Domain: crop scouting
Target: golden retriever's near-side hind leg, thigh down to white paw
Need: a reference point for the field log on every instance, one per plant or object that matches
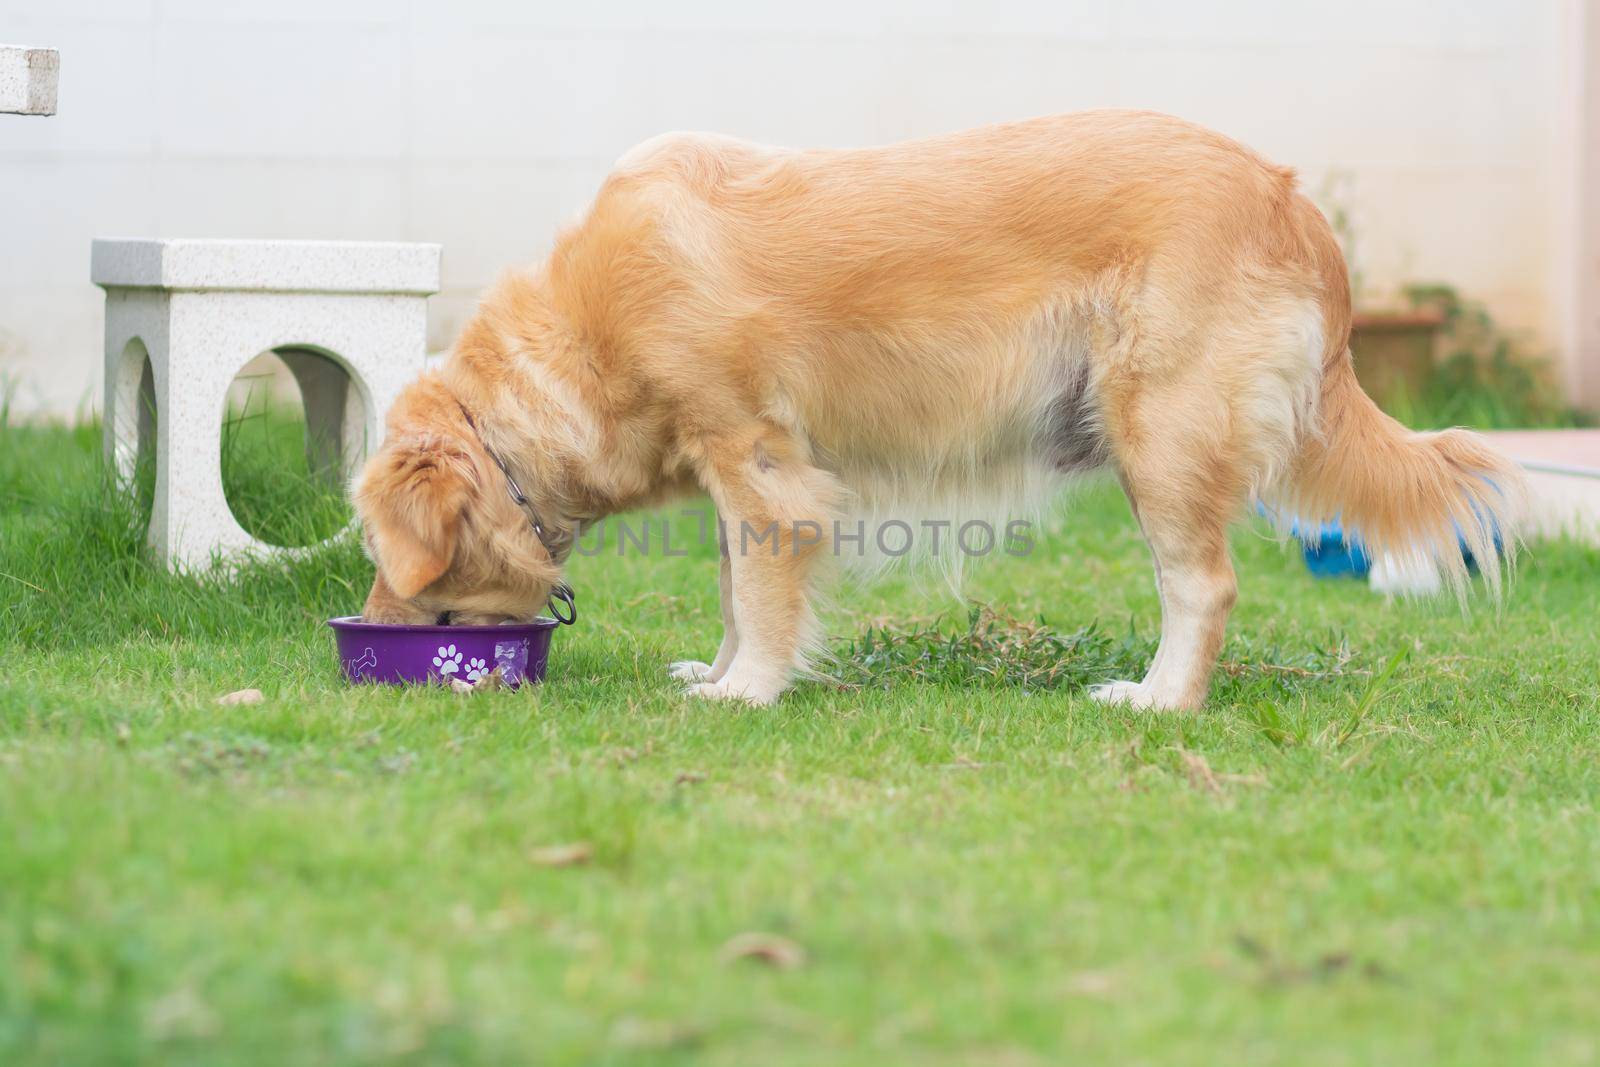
(1199, 417)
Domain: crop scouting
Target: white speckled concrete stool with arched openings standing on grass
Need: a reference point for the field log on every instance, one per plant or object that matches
(183, 318)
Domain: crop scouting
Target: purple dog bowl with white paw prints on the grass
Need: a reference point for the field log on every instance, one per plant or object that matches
(396, 655)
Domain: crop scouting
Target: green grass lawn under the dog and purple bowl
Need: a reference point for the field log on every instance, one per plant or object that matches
(1332, 865)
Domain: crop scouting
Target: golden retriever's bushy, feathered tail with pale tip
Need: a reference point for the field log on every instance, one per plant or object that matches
(1414, 500)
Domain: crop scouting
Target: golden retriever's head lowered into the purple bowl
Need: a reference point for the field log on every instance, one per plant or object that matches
(447, 538)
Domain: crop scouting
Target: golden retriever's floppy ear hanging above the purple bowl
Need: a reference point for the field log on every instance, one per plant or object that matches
(412, 498)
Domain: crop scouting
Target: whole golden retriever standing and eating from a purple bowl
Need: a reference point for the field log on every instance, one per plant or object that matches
(817, 335)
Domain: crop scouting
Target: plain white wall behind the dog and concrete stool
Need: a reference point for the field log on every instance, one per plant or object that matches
(486, 124)
